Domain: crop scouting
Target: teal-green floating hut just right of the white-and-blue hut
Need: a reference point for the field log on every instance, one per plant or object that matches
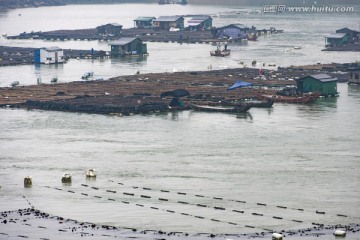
(127, 47)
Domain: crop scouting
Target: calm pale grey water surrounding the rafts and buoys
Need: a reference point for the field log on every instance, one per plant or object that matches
(295, 156)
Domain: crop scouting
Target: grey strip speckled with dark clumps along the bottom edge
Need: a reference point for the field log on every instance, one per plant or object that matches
(48, 226)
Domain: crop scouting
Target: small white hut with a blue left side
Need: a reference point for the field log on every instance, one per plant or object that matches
(49, 55)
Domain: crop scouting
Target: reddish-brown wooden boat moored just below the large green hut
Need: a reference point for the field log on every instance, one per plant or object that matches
(303, 99)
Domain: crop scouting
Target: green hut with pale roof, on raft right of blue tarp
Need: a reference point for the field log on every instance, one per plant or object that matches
(324, 84)
